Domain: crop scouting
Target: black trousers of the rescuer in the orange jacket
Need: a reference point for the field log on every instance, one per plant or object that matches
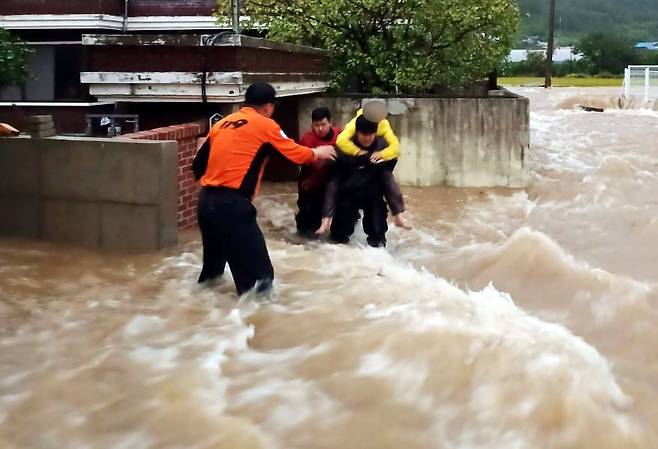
(231, 234)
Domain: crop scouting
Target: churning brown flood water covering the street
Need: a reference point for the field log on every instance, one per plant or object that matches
(504, 320)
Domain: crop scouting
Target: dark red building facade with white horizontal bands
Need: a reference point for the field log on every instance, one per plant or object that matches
(161, 62)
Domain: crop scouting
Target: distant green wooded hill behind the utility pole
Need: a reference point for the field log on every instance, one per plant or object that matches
(637, 20)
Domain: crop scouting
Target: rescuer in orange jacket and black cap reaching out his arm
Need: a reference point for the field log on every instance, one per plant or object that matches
(237, 150)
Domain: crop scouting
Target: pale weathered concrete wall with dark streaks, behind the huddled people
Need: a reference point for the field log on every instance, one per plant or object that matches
(463, 142)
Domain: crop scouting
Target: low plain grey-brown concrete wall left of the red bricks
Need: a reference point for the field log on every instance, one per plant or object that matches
(118, 195)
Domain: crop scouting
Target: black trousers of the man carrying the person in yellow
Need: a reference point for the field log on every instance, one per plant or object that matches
(374, 219)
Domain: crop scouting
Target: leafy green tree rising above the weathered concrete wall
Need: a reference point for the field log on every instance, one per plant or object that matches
(409, 46)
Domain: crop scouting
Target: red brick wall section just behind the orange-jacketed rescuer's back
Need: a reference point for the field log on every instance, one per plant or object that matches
(187, 136)
